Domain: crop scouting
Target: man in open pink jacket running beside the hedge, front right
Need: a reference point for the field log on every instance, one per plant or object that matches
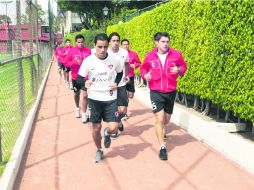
(161, 68)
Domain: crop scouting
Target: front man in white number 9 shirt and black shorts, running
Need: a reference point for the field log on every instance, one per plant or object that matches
(100, 70)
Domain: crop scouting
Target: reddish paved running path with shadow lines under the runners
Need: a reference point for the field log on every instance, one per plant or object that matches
(60, 152)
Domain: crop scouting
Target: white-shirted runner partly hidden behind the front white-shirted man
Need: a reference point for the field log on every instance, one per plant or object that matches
(122, 98)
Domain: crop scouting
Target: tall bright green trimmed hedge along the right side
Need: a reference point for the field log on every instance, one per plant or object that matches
(216, 39)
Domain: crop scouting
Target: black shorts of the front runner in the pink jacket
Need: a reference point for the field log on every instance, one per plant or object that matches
(161, 101)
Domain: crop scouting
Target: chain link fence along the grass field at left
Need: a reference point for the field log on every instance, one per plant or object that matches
(23, 64)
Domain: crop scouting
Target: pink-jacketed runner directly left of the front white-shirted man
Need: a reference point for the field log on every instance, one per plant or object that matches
(73, 59)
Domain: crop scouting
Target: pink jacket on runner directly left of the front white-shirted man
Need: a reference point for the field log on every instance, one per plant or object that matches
(74, 58)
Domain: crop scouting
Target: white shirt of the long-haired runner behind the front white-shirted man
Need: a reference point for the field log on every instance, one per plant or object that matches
(124, 56)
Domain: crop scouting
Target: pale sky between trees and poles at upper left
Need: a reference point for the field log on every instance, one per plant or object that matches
(10, 9)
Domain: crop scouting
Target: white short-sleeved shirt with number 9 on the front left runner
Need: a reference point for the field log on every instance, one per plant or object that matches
(102, 74)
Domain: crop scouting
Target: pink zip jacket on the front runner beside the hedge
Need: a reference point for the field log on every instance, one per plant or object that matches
(162, 80)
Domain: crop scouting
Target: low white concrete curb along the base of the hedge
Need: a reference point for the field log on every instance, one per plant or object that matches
(208, 131)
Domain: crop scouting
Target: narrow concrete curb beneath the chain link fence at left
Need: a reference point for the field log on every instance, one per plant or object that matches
(8, 178)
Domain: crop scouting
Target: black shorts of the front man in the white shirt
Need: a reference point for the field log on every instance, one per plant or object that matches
(106, 110)
